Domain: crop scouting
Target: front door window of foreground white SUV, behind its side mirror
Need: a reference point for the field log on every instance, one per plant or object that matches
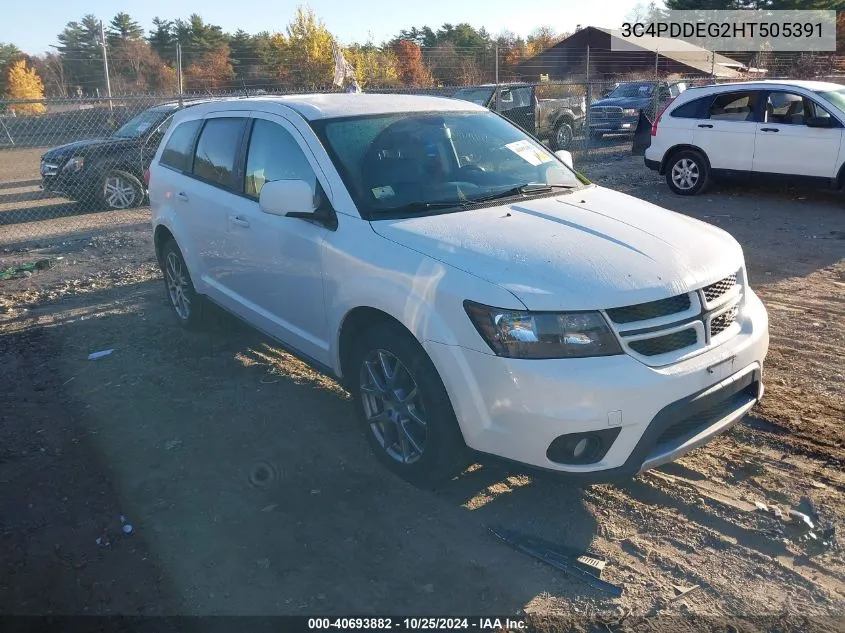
(274, 155)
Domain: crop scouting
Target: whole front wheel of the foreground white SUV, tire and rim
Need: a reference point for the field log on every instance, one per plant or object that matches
(404, 408)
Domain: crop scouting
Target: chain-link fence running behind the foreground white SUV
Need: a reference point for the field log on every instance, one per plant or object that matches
(74, 165)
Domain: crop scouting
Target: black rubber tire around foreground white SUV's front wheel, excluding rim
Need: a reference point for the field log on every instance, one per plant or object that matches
(444, 453)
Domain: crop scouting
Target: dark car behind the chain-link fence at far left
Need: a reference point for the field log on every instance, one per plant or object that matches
(108, 171)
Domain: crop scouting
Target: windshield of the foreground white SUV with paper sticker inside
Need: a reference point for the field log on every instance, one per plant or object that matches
(412, 162)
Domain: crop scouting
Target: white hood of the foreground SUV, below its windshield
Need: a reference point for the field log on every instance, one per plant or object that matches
(592, 248)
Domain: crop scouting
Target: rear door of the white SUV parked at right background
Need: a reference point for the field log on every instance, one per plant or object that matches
(727, 132)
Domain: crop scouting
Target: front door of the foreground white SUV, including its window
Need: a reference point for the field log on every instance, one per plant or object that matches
(276, 263)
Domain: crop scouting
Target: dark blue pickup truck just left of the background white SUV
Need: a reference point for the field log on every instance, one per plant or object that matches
(619, 111)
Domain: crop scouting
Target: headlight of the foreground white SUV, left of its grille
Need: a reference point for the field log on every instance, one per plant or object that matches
(522, 334)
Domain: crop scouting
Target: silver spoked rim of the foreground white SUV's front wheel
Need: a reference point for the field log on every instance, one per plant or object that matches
(393, 406)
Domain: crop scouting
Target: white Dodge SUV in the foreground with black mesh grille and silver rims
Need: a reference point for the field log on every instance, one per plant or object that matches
(469, 288)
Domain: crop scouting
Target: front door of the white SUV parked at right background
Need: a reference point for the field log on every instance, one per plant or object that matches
(785, 145)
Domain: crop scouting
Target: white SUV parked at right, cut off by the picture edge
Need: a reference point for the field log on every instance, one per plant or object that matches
(765, 129)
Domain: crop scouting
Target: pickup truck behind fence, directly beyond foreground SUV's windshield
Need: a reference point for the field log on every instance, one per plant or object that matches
(555, 119)
